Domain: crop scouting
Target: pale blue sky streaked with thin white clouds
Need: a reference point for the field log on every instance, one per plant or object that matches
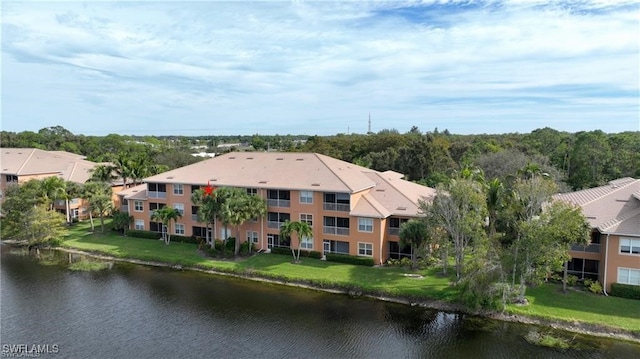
(319, 67)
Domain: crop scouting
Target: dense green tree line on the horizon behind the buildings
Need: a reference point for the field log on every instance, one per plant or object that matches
(575, 160)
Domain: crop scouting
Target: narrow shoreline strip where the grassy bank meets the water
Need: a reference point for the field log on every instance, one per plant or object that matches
(574, 327)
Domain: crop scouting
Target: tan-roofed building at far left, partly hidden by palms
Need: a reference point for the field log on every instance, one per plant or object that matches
(18, 165)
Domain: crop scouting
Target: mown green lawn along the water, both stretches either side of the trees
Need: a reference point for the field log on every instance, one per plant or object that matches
(547, 302)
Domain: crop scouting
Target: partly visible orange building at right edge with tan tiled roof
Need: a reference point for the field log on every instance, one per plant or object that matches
(614, 214)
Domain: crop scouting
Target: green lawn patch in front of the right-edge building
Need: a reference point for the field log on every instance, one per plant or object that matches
(548, 302)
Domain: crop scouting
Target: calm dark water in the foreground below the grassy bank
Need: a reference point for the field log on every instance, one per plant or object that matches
(140, 312)
